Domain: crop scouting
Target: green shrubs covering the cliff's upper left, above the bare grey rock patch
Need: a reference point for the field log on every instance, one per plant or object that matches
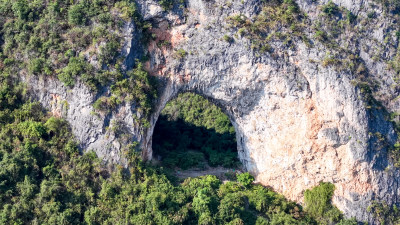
(74, 40)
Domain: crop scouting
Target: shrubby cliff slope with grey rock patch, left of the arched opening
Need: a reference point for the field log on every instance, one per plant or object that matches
(80, 47)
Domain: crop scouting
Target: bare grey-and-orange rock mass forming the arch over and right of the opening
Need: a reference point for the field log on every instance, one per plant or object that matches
(297, 123)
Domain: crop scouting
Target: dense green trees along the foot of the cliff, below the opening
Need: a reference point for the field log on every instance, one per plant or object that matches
(45, 180)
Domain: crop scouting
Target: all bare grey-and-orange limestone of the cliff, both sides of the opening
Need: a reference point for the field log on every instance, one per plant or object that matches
(298, 121)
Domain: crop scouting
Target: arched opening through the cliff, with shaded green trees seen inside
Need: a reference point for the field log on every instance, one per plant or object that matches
(192, 133)
